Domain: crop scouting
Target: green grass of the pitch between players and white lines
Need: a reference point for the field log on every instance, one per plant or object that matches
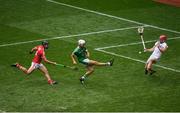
(123, 87)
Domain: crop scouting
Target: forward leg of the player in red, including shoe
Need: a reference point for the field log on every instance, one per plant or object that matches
(44, 70)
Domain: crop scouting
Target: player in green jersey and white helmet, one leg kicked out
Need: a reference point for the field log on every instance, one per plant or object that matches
(82, 55)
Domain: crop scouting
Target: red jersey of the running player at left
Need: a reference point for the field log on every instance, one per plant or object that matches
(39, 55)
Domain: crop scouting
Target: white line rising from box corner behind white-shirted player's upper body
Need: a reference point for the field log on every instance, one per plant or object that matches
(130, 44)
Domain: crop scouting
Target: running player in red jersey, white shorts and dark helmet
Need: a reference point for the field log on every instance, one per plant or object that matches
(36, 62)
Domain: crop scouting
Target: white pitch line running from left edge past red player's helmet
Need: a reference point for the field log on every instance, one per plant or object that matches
(70, 36)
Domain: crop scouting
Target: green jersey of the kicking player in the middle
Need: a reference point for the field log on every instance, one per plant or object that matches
(80, 53)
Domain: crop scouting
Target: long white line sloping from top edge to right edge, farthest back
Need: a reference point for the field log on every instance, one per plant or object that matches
(111, 16)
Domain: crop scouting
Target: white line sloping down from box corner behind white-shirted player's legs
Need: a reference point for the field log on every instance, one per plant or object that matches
(137, 60)
